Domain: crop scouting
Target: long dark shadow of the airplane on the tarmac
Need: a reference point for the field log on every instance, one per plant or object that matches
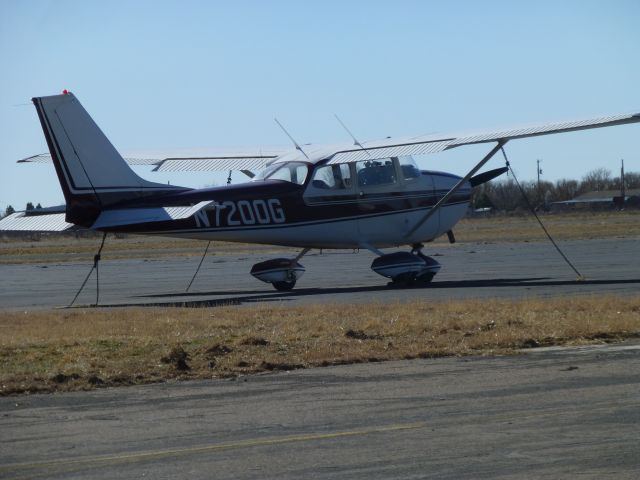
(239, 297)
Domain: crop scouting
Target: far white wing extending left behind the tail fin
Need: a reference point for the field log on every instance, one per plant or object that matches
(191, 159)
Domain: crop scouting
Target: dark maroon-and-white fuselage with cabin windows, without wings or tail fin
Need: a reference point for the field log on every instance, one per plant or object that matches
(302, 205)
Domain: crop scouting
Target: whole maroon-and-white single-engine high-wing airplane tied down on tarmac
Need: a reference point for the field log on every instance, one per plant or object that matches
(363, 195)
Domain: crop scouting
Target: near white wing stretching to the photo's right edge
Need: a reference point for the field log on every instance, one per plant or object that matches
(427, 144)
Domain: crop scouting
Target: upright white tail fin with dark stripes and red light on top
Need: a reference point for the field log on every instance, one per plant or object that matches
(92, 174)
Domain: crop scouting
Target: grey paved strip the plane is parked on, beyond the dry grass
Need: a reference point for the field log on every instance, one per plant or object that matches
(469, 270)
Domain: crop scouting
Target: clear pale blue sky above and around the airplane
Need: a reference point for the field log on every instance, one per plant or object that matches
(157, 74)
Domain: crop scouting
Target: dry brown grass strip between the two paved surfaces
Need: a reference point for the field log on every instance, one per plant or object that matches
(84, 349)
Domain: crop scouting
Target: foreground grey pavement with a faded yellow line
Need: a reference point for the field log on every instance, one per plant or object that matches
(550, 413)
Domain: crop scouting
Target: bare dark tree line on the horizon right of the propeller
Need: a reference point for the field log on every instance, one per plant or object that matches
(506, 196)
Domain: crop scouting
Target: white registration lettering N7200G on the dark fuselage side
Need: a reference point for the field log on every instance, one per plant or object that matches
(248, 212)
